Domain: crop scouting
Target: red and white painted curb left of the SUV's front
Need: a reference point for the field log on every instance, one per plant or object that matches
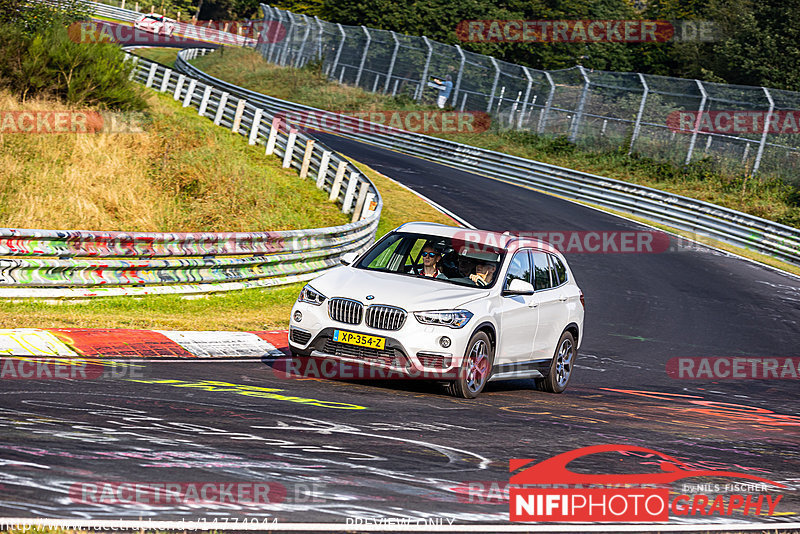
(123, 343)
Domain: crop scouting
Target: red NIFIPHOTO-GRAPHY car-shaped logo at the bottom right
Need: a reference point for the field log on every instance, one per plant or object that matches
(637, 497)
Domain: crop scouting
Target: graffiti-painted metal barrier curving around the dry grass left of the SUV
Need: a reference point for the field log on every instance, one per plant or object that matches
(68, 263)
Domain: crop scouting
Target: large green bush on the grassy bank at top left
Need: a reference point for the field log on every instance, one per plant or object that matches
(50, 64)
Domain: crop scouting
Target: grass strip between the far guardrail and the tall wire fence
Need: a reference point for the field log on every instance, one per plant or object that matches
(769, 198)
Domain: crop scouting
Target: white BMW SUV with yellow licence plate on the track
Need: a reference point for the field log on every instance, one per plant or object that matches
(451, 304)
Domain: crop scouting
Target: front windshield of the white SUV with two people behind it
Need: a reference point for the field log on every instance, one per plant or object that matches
(445, 259)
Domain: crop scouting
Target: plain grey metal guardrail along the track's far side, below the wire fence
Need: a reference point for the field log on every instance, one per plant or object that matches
(683, 213)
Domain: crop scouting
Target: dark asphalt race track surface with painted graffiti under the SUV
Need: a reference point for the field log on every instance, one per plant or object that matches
(408, 448)
